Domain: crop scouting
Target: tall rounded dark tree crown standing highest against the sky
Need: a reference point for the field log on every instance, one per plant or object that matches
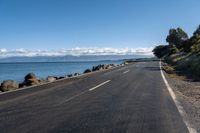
(177, 37)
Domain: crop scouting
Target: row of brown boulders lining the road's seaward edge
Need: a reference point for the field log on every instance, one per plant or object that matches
(31, 79)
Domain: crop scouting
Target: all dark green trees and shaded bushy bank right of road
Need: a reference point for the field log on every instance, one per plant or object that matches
(182, 52)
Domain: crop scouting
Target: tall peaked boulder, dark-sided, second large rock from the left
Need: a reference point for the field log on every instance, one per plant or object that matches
(30, 79)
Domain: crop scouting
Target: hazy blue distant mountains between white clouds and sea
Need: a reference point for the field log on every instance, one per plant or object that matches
(70, 58)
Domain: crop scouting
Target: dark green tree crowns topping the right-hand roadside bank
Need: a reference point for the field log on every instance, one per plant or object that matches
(178, 41)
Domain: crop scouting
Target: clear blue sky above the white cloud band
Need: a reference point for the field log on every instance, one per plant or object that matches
(56, 24)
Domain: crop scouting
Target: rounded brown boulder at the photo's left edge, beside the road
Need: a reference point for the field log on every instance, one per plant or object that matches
(8, 85)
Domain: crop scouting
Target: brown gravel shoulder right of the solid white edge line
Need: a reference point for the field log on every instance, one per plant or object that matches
(188, 94)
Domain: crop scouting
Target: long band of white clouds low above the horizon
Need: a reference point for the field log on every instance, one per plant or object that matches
(75, 52)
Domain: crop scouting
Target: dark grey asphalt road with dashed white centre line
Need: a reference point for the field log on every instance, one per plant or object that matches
(130, 99)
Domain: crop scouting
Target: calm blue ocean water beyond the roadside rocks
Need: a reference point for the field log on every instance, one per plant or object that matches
(17, 71)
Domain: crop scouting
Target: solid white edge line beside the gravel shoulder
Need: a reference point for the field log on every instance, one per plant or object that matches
(177, 103)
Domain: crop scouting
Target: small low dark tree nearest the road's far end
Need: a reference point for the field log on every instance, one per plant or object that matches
(160, 51)
